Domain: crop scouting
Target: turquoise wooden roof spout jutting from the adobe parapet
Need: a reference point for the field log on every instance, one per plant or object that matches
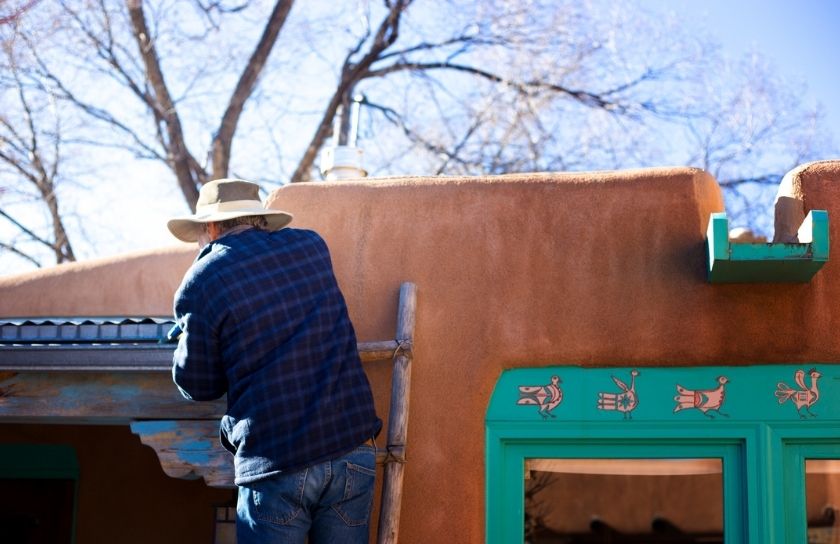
(766, 263)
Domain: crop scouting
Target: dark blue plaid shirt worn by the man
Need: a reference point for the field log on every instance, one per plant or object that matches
(264, 321)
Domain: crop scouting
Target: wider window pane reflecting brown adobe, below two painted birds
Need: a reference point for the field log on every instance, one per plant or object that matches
(623, 500)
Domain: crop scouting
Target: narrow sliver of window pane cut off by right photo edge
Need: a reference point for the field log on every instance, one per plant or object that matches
(822, 493)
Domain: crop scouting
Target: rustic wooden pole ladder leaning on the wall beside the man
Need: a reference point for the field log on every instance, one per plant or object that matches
(400, 351)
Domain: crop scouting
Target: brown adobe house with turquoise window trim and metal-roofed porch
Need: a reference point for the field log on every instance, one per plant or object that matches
(591, 357)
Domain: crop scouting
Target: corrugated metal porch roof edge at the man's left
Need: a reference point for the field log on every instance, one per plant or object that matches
(85, 343)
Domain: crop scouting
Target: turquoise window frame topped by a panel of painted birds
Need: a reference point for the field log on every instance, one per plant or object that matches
(757, 430)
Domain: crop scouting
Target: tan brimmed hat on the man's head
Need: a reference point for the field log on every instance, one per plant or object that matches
(224, 199)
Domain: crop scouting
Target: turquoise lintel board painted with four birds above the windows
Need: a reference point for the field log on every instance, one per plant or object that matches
(804, 393)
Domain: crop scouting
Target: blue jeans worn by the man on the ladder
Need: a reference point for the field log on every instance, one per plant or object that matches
(329, 502)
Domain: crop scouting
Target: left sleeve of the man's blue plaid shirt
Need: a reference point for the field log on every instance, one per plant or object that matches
(197, 367)
